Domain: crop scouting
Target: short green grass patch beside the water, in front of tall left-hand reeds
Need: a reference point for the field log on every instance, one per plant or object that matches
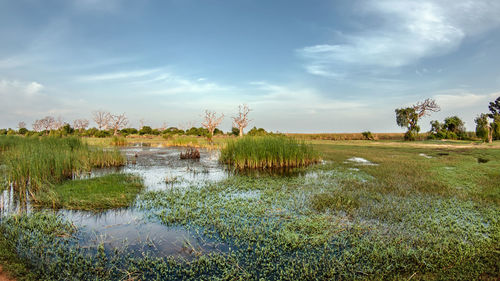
(106, 192)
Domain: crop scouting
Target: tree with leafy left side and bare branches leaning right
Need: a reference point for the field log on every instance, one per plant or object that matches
(408, 117)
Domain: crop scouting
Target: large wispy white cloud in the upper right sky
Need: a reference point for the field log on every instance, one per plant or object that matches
(408, 32)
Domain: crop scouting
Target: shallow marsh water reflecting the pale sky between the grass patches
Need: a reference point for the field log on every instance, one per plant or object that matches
(129, 226)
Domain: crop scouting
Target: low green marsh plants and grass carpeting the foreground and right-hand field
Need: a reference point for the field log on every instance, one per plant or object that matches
(373, 210)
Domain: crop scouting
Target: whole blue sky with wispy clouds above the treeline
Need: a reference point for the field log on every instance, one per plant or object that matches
(307, 66)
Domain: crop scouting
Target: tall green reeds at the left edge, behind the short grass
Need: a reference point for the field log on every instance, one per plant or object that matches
(32, 163)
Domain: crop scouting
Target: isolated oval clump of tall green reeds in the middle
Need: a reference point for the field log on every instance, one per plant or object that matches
(268, 152)
